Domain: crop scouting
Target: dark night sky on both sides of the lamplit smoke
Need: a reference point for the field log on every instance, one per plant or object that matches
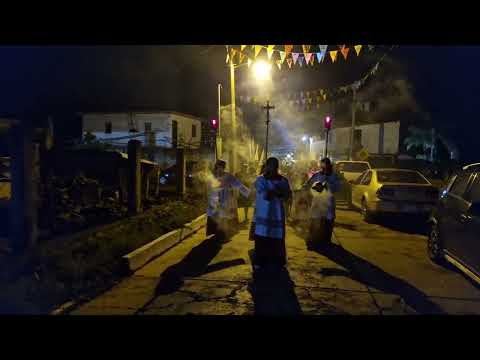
(184, 78)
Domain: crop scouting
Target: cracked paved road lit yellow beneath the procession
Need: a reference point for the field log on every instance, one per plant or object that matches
(372, 270)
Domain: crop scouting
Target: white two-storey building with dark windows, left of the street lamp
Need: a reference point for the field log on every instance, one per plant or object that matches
(160, 132)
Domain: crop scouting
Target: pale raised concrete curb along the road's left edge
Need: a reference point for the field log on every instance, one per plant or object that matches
(139, 257)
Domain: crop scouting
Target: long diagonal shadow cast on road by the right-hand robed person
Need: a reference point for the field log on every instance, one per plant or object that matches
(373, 276)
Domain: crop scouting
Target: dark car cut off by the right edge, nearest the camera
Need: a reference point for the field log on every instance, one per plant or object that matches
(455, 223)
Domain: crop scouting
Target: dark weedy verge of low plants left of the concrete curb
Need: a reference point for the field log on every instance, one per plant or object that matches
(85, 265)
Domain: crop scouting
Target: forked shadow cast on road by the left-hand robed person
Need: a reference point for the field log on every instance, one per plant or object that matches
(192, 265)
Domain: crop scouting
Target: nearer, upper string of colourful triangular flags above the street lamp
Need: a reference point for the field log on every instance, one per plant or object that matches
(281, 54)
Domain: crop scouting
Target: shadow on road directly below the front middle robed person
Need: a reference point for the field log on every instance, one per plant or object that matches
(273, 293)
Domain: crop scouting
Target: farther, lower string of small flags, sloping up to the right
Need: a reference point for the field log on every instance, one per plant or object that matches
(313, 99)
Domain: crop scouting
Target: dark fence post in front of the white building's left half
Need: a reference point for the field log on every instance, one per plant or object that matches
(134, 177)
